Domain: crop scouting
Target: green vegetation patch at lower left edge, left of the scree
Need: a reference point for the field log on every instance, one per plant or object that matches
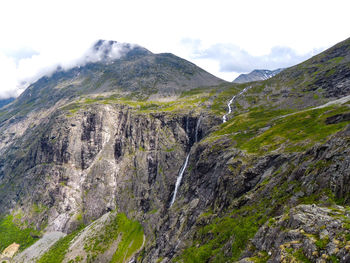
(11, 232)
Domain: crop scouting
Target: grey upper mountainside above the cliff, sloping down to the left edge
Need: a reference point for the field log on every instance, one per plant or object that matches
(136, 75)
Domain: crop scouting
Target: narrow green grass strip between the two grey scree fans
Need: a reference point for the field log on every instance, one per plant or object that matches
(59, 249)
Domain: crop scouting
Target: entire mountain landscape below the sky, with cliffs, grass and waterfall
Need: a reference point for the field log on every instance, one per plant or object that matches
(92, 158)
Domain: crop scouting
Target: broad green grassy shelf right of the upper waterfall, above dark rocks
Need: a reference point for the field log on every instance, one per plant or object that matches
(262, 130)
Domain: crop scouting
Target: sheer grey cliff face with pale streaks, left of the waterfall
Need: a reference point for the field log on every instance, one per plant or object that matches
(97, 159)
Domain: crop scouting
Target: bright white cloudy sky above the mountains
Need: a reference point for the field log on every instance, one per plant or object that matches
(224, 37)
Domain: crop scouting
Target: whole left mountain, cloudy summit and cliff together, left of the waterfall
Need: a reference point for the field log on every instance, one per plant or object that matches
(80, 143)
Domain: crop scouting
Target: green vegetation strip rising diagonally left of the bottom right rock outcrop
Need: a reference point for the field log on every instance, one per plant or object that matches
(235, 228)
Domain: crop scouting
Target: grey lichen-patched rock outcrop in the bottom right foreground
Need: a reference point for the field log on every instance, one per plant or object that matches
(307, 232)
